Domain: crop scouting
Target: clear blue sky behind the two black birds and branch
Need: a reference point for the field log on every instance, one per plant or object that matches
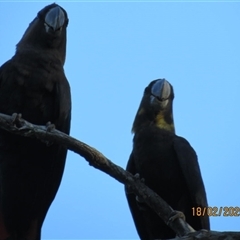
(114, 50)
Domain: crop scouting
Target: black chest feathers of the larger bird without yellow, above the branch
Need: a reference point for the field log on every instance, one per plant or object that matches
(32, 85)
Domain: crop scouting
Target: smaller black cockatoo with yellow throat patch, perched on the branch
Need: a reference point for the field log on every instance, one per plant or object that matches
(166, 161)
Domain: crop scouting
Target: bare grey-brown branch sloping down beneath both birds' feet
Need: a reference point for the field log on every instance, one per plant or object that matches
(15, 124)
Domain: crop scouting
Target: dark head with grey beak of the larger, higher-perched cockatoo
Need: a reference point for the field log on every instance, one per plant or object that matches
(47, 31)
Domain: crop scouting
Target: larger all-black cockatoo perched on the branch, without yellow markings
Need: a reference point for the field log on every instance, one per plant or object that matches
(33, 83)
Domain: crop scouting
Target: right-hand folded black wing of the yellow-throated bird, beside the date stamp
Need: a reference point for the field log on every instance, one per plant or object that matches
(190, 168)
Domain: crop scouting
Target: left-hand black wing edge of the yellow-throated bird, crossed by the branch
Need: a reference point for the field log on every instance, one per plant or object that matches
(137, 214)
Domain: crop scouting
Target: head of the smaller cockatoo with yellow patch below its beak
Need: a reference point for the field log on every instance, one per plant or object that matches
(156, 107)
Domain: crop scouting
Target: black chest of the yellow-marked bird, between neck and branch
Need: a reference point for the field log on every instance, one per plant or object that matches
(156, 162)
